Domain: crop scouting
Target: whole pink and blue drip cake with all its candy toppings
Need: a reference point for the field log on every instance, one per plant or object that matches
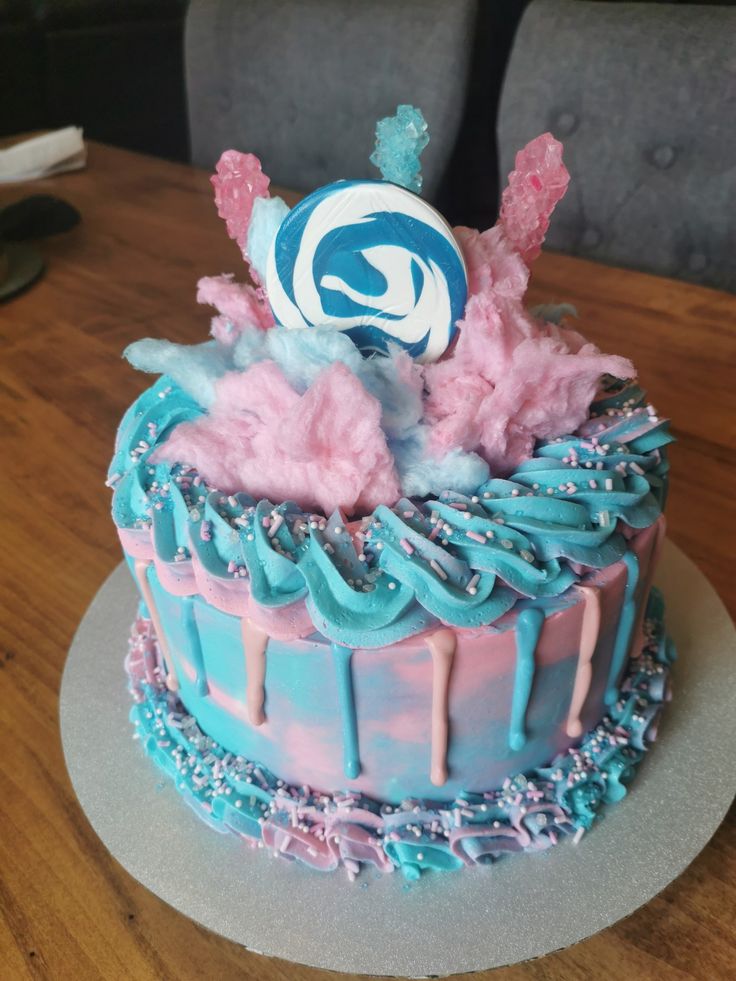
(394, 533)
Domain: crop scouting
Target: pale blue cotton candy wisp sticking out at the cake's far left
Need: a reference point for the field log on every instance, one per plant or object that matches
(195, 367)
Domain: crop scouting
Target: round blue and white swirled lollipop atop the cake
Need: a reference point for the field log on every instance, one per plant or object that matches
(374, 260)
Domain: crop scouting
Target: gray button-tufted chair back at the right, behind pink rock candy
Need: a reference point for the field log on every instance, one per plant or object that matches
(643, 97)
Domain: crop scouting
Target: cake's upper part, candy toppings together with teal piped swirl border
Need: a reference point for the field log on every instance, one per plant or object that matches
(379, 435)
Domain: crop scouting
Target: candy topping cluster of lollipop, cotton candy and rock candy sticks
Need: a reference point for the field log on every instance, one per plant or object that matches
(420, 370)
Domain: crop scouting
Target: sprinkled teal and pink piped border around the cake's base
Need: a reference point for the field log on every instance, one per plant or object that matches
(530, 812)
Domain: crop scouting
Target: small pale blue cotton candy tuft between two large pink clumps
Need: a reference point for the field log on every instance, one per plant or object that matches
(422, 475)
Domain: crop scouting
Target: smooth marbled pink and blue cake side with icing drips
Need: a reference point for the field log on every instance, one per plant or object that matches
(367, 720)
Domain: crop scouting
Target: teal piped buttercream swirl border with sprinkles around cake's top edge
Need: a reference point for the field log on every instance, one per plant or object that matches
(462, 560)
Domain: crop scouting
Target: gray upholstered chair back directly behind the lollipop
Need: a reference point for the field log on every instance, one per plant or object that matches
(301, 83)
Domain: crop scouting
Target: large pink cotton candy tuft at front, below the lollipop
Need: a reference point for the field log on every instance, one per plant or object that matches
(324, 449)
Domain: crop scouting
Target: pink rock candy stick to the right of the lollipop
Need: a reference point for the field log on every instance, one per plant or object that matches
(537, 183)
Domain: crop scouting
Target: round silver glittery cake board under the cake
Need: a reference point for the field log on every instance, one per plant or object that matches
(521, 907)
